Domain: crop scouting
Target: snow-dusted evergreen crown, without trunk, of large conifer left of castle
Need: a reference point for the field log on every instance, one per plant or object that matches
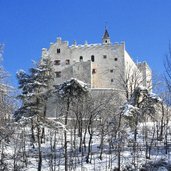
(35, 88)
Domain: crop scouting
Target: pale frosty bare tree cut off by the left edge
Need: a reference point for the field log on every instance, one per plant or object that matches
(7, 105)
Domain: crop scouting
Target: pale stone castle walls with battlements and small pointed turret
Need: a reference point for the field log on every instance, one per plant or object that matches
(101, 66)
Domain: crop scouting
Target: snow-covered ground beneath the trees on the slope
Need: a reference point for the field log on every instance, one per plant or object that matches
(20, 148)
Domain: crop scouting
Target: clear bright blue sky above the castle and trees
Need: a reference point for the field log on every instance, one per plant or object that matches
(27, 26)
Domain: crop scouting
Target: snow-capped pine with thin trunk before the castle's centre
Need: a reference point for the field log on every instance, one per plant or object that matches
(71, 93)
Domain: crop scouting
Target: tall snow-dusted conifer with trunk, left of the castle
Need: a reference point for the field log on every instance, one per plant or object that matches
(35, 89)
